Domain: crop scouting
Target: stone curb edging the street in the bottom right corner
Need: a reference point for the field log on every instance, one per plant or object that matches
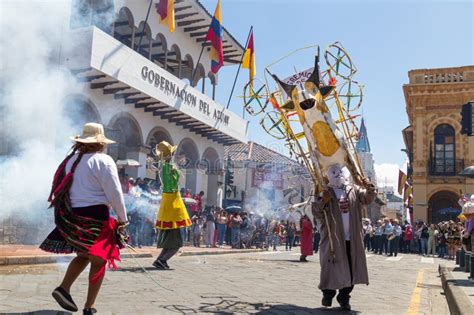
(458, 302)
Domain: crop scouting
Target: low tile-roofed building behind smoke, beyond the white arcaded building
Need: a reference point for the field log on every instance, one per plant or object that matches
(264, 179)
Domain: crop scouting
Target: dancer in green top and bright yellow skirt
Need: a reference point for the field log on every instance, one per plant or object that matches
(172, 215)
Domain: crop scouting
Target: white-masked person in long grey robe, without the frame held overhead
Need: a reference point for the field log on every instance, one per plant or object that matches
(343, 264)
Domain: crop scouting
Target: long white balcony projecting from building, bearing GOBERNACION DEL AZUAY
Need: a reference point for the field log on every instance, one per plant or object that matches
(106, 64)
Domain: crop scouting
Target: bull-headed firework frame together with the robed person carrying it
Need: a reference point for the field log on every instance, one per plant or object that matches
(301, 114)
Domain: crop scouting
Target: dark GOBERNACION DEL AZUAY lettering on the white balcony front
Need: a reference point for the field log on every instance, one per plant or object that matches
(172, 89)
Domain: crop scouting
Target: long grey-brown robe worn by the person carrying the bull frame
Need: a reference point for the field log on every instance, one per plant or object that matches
(335, 273)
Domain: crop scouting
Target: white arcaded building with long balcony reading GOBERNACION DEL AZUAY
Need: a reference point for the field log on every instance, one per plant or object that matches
(144, 84)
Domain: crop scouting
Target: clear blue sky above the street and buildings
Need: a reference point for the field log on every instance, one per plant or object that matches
(385, 40)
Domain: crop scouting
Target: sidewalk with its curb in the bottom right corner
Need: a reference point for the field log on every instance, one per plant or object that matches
(458, 289)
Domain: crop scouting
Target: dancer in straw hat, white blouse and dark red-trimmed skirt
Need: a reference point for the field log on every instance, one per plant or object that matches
(84, 186)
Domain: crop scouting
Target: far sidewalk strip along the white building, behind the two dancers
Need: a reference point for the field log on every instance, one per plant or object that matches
(31, 254)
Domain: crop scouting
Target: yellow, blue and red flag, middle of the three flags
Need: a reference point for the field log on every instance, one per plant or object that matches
(214, 35)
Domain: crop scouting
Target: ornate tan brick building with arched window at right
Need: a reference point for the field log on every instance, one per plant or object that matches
(437, 151)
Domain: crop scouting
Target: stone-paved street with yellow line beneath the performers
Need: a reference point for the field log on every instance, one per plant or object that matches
(265, 282)
